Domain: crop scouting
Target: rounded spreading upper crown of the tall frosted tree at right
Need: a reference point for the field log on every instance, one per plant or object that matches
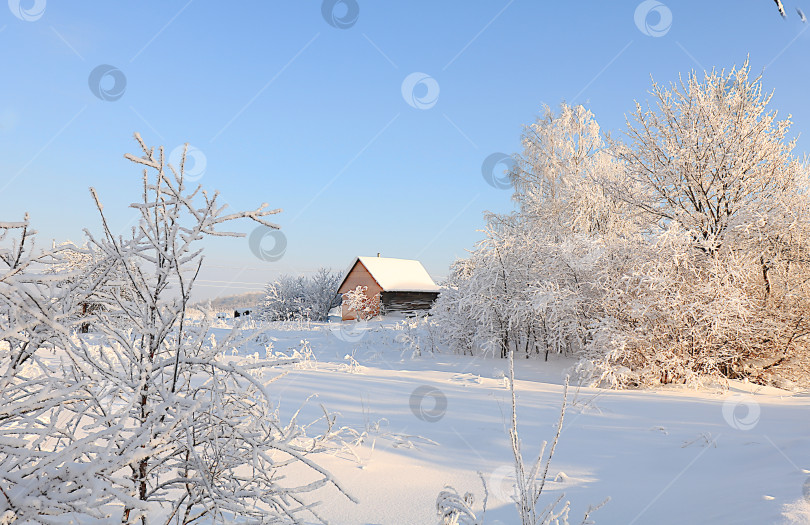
(710, 156)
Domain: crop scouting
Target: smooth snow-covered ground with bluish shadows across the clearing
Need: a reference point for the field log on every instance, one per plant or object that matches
(669, 455)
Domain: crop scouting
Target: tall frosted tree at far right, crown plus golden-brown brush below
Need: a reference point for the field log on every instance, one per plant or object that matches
(718, 286)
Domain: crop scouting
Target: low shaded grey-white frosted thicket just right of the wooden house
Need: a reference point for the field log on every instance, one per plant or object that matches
(499, 300)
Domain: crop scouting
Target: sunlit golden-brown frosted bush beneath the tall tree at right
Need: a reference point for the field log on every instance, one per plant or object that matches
(679, 315)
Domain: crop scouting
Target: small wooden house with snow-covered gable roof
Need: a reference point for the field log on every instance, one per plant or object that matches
(401, 285)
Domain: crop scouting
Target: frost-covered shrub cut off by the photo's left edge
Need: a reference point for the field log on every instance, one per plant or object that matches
(50, 466)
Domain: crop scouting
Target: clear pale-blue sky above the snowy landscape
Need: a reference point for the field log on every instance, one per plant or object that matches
(290, 110)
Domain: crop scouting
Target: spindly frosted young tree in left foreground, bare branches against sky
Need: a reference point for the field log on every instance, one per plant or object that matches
(199, 432)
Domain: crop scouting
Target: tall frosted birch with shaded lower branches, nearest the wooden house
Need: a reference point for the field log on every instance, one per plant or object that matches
(529, 285)
